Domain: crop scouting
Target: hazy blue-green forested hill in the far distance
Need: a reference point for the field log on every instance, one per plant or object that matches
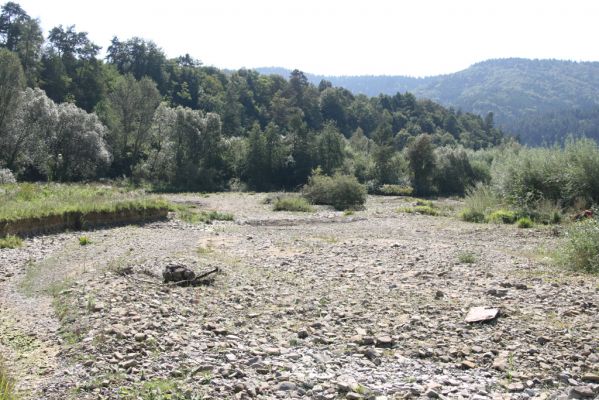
(539, 100)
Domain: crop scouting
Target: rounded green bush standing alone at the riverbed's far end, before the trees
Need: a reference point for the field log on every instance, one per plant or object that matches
(340, 191)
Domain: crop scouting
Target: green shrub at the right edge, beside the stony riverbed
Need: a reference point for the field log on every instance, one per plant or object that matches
(580, 251)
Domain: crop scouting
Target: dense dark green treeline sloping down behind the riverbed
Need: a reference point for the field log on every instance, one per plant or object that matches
(66, 114)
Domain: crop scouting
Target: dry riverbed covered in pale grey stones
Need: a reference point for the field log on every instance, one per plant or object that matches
(319, 305)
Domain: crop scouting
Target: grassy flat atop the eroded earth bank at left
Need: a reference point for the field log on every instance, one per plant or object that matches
(33, 200)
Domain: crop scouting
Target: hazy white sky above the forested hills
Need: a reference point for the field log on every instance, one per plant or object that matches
(336, 37)
